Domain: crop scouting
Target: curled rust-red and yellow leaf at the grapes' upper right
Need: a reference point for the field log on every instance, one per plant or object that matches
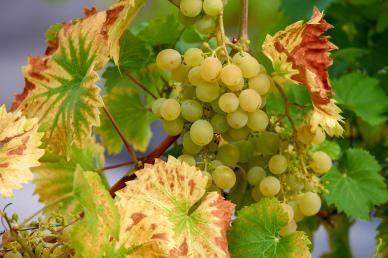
(302, 55)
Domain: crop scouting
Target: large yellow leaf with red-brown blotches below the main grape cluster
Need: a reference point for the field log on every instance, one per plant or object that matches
(168, 211)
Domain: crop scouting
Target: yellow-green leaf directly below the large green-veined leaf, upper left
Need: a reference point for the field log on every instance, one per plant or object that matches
(54, 178)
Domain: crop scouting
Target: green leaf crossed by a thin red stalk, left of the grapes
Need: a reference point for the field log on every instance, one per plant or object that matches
(132, 117)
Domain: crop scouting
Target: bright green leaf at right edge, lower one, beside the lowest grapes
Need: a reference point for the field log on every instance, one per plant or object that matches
(356, 186)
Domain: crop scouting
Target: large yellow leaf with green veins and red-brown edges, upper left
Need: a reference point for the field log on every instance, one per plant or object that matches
(61, 88)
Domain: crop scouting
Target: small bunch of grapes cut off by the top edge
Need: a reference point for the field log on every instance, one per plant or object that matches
(200, 12)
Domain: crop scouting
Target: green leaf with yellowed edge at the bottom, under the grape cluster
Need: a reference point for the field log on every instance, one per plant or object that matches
(255, 233)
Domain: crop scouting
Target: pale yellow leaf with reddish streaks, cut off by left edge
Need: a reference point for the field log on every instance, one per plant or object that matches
(19, 150)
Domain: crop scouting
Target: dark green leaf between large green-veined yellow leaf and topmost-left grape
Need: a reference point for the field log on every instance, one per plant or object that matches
(135, 53)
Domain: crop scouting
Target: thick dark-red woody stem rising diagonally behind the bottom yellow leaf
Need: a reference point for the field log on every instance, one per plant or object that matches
(149, 159)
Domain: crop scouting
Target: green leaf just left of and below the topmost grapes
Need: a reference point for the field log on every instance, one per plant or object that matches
(161, 31)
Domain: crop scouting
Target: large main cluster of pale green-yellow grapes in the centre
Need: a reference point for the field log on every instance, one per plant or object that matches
(219, 112)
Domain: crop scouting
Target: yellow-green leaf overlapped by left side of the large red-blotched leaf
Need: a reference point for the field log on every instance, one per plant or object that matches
(95, 233)
